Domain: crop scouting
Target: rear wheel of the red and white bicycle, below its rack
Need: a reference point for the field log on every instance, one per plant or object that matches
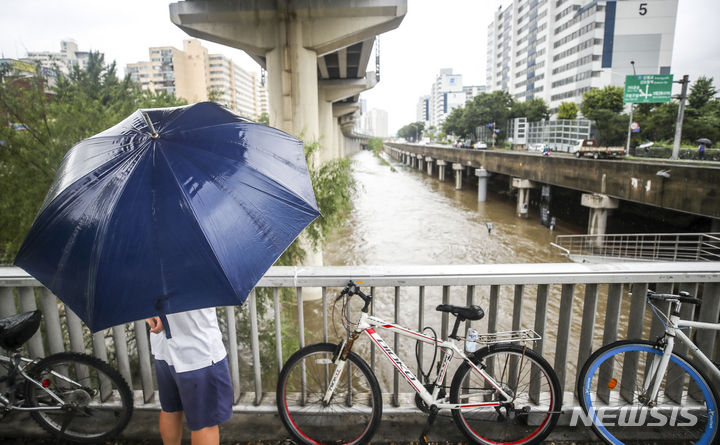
(530, 413)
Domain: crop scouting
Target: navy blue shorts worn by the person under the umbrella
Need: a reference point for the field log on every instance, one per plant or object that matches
(204, 394)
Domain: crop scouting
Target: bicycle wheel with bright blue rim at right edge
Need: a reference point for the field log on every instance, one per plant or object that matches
(612, 390)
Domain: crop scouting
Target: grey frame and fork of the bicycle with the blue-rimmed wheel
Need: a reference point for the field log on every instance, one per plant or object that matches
(672, 331)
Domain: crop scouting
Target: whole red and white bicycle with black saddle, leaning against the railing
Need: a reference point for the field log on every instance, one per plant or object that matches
(502, 393)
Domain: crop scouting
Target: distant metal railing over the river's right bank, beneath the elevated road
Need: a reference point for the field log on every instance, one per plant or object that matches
(640, 247)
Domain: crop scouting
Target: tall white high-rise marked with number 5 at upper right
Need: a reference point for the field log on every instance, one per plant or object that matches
(559, 49)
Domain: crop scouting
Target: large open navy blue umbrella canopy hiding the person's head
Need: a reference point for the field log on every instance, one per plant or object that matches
(170, 210)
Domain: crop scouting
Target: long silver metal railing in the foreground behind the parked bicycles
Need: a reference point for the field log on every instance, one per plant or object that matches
(576, 308)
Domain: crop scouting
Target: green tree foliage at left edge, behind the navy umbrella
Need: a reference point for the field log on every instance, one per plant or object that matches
(80, 105)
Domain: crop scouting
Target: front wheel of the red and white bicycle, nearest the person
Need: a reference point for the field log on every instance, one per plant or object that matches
(350, 417)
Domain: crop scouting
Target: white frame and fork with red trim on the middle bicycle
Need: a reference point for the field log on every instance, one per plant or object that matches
(367, 323)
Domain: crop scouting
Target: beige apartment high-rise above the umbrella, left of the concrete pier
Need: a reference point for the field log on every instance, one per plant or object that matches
(196, 76)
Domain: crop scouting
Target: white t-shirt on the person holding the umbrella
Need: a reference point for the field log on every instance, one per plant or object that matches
(194, 340)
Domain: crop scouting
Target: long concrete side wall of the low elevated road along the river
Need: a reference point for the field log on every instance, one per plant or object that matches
(673, 185)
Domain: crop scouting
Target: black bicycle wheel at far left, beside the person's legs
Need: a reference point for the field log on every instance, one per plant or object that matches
(94, 405)
